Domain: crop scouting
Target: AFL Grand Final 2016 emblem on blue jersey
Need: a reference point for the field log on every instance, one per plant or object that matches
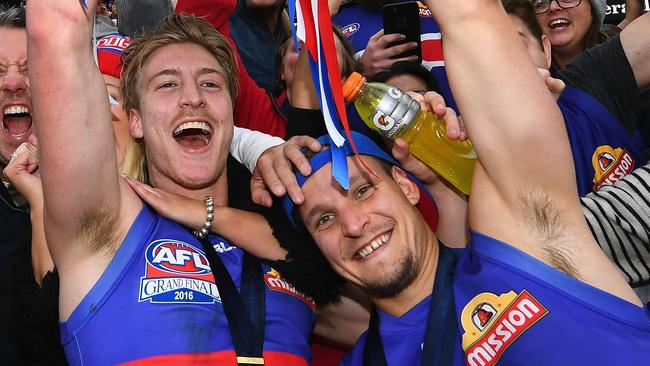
(177, 272)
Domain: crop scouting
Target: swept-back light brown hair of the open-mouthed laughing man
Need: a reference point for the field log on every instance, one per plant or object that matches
(174, 29)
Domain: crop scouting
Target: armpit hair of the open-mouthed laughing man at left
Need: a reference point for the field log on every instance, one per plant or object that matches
(98, 228)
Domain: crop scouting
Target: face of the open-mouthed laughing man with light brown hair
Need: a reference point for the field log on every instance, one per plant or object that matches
(184, 116)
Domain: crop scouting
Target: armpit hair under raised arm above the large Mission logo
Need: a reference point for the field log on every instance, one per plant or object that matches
(541, 220)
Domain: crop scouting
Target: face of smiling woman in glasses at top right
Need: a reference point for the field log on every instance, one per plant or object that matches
(566, 27)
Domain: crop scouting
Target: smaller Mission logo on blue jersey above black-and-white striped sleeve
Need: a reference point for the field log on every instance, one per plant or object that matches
(610, 165)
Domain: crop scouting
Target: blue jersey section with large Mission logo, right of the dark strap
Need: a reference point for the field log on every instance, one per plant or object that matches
(513, 309)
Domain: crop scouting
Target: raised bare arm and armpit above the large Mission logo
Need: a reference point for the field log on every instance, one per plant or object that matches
(524, 190)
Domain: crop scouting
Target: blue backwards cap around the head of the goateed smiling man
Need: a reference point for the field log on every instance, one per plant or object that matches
(365, 146)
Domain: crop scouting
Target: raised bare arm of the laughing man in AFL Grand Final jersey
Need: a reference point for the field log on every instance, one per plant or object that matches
(71, 114)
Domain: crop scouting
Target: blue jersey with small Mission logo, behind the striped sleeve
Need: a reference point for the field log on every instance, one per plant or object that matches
(603, 151)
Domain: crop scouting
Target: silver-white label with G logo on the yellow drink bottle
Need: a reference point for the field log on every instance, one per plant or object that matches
(395, 111)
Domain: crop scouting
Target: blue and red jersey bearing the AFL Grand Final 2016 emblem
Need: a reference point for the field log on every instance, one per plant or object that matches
(156, 304)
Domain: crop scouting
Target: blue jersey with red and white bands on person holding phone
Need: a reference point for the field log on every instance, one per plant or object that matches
(358, 24)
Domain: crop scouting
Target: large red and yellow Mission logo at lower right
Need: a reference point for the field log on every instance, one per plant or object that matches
(492, 323)
